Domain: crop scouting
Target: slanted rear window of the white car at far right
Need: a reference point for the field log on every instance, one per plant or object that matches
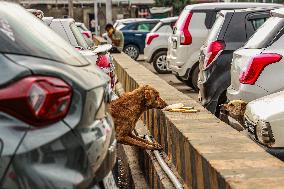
(265, 34)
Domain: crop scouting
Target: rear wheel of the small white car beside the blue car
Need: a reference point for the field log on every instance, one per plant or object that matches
(160, 62)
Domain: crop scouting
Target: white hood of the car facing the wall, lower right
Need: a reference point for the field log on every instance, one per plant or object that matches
(268, 108)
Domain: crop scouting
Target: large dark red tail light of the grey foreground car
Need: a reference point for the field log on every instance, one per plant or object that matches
(37, 100)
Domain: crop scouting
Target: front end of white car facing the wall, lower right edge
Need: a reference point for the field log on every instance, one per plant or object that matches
(264, 120)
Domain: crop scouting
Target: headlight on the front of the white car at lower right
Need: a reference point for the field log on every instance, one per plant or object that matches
(264, 133)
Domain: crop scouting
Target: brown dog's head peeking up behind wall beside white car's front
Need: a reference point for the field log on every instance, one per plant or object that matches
(235, 109)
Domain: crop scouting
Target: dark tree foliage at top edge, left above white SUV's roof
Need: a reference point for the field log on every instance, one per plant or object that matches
(177, 5)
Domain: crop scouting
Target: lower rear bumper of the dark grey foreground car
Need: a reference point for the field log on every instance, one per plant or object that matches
(70, 161)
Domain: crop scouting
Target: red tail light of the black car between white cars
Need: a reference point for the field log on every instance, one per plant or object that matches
(213, 50)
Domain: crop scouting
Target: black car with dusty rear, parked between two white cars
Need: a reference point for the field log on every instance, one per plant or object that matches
(231, 31)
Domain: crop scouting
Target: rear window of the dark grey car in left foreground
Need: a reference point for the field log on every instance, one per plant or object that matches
(30, 36)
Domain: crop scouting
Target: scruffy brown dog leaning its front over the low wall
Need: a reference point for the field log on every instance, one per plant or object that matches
(126, 111)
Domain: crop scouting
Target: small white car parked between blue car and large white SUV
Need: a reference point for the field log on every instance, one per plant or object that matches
(157, 44)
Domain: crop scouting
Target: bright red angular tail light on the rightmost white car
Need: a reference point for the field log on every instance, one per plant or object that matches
(256, 66)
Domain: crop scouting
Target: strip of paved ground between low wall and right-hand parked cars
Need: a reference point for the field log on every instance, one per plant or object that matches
(172, 80)
